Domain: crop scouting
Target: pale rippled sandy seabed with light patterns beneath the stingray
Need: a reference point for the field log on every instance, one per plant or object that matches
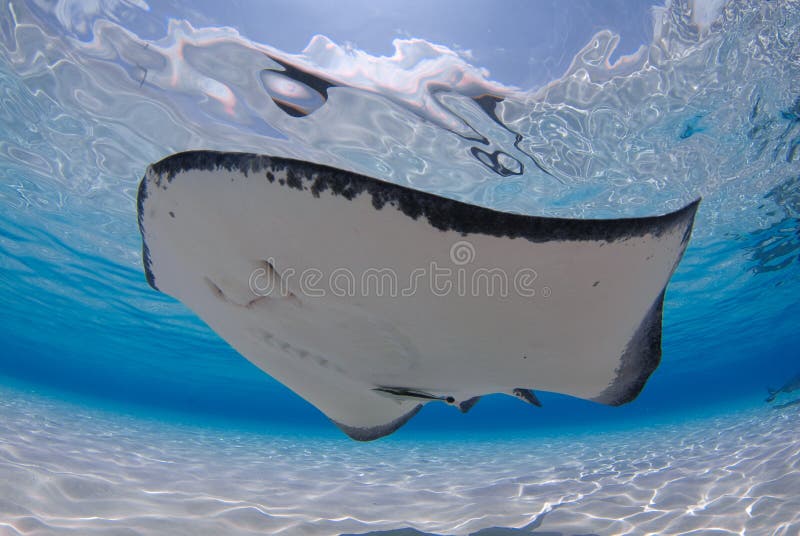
(70, 469)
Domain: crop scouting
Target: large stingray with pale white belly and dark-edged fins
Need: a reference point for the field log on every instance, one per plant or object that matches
(370, 299)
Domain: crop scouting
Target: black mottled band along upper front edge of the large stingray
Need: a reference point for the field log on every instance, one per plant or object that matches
(441, 213)
